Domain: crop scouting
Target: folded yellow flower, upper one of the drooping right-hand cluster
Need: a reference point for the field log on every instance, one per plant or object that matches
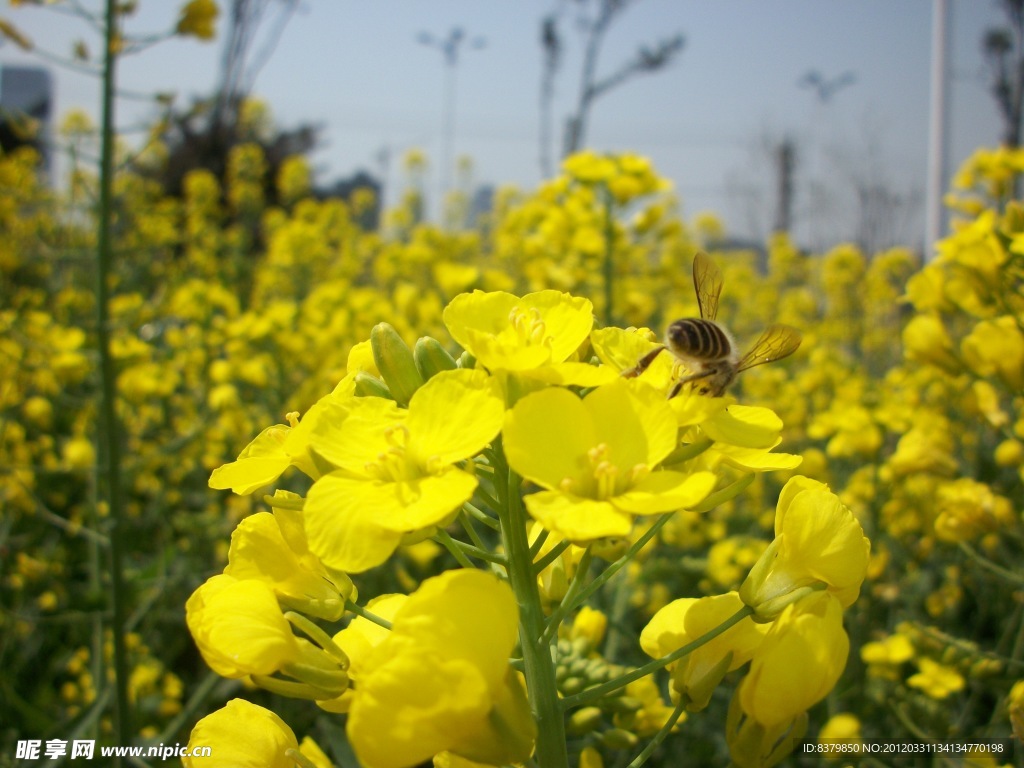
(818, 542)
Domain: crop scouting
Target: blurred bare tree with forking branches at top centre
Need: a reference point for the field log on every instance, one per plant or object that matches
(648, 60)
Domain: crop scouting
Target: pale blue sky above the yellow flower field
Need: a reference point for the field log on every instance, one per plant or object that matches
(355, 67)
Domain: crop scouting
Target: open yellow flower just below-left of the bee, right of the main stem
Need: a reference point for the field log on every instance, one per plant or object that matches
(596, 459)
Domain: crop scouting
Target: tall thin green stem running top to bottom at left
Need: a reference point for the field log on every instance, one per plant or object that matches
(112, 432)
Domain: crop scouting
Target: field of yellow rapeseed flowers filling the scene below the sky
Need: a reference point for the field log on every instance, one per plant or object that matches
(402, 495)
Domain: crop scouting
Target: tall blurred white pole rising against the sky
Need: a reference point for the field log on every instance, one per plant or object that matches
(937, 130)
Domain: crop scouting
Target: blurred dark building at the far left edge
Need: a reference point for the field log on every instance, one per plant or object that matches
(26, 110)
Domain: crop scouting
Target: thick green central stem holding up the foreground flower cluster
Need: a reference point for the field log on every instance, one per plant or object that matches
(538, 662)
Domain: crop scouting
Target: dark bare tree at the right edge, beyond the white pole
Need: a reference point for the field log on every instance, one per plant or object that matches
(1004, 51)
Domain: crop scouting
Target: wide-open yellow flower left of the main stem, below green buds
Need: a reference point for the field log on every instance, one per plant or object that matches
(398, 471)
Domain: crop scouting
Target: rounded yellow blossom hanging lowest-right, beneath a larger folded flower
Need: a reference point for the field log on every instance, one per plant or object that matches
(799, 661)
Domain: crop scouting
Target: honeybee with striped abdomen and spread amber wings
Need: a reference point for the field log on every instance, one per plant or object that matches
(707, 349)
